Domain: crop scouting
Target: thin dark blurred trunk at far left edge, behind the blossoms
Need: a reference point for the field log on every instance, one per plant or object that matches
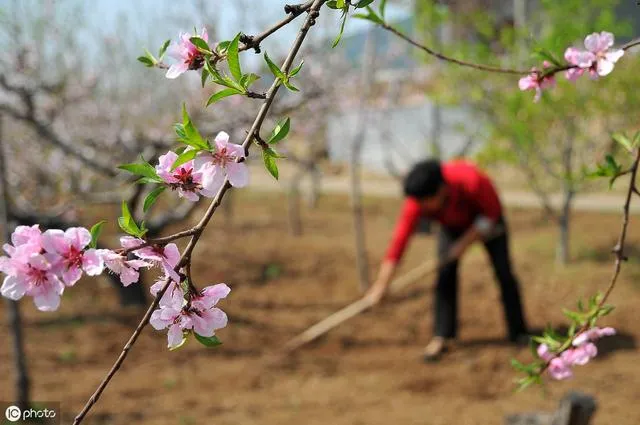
(13, 308)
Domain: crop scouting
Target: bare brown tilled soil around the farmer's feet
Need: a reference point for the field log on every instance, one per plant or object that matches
(367, 371)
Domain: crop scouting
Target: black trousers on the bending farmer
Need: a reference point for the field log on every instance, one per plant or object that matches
(446, 296)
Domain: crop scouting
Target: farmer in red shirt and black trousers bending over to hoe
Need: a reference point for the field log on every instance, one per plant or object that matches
(465, 203)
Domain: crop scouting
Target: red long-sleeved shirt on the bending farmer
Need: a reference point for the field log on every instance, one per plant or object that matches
(470, 195)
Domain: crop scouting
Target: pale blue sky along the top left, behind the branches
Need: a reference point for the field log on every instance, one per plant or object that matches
(147, 23)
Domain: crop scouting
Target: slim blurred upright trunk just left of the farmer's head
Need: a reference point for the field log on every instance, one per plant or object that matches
(362, 263)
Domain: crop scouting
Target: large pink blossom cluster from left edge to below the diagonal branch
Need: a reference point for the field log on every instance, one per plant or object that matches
(42, 264)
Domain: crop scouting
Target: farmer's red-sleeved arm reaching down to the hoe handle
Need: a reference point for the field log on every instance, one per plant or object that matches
(405, 226)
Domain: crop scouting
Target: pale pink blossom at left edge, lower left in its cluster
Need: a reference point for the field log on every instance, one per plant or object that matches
(31, 274)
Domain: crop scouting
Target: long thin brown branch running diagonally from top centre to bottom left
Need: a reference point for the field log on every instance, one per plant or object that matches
(199, 228)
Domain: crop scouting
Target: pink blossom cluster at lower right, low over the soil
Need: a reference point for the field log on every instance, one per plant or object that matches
(581, 351)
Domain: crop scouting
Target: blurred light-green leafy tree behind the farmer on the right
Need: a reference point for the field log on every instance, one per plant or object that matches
(554, 144)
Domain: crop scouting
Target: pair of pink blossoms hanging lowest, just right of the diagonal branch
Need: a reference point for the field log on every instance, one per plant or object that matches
(198, 315)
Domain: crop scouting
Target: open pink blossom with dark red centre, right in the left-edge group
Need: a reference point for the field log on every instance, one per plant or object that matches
(68, 256)
